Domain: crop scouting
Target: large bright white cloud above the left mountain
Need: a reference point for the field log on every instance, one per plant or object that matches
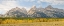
(7, 5)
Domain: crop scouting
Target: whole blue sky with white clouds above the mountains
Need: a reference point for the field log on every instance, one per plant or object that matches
(6, 5)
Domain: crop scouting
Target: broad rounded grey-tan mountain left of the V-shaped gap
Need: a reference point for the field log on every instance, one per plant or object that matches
(17, 12)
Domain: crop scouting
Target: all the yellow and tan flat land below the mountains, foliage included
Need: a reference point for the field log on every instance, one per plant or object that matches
(24, 21)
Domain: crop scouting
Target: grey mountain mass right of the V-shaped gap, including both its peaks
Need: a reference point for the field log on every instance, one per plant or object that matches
(49, 11)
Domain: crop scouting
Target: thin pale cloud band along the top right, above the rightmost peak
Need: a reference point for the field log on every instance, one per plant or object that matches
(52, 2)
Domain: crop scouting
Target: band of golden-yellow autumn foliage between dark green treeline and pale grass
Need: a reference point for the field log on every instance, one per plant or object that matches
(17, 21)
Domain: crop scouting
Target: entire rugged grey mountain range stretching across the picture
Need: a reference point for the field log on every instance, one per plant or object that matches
(48, 11)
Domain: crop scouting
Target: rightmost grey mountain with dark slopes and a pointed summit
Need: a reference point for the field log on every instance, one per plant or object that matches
(53, 12)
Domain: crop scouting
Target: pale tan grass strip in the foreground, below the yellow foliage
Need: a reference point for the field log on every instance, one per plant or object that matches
(60, 23)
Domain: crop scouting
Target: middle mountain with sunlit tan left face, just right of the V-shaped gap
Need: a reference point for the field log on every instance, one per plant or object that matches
(36, 12)
